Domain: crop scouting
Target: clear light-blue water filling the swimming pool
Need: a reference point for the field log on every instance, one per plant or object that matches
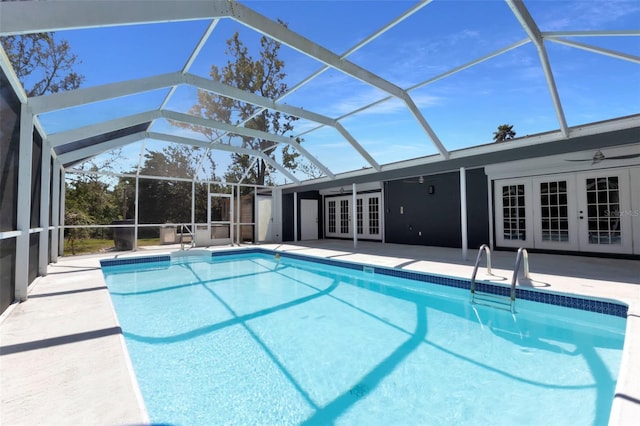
(250, 339)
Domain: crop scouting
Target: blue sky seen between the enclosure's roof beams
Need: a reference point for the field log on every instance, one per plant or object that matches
(463, 109)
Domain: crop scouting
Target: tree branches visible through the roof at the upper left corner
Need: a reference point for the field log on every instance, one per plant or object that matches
(42, 64)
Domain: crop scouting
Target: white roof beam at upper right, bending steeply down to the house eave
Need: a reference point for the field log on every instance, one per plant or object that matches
(531, 28)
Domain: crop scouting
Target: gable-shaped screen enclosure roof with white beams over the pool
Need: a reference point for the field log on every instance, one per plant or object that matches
(374, 85)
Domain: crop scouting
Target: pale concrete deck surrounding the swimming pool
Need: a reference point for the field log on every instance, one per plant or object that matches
(63, 359)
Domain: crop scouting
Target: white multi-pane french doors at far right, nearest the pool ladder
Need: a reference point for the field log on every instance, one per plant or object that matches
(587, 211)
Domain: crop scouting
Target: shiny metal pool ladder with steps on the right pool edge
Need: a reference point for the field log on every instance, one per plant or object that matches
(492, 299)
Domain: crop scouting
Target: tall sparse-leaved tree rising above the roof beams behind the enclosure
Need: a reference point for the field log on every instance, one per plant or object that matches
(263, 76)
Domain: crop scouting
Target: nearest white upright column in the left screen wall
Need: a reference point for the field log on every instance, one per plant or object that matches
(24, 203)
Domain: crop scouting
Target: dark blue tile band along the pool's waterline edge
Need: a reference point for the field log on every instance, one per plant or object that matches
(584, 303)
